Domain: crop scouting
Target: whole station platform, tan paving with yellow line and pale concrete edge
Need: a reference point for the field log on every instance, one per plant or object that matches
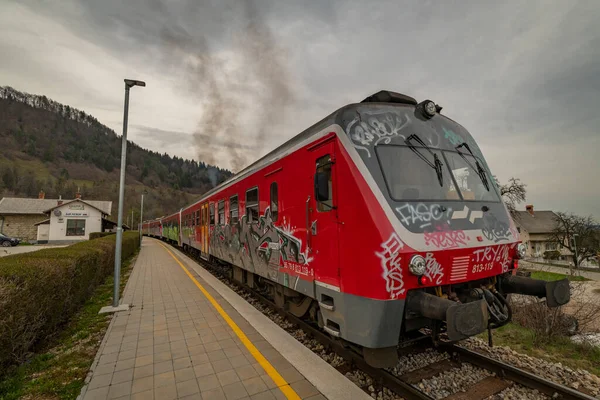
(188, 336)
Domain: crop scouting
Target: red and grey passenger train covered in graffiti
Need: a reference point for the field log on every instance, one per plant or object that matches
(376, 222)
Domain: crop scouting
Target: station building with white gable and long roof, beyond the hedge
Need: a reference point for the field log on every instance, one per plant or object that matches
(53, 220)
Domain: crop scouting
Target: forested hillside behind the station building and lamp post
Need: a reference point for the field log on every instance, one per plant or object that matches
(56, 148)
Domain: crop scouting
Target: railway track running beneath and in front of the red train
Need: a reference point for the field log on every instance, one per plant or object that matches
(409, 384)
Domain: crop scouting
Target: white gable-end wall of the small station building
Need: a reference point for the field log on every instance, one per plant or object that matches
(74, 210)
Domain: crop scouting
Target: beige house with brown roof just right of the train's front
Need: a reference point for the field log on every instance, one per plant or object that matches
(535, 229)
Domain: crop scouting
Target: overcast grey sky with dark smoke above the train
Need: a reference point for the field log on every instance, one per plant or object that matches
(522, 76)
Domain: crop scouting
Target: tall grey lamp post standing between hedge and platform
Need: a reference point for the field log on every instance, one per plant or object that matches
(129, 83)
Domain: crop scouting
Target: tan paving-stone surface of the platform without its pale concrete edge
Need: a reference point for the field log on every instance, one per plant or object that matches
(174, 344)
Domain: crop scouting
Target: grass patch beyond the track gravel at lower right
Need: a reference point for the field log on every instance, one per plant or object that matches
(563, 350)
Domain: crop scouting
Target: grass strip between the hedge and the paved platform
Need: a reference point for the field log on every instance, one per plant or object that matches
(59, 371)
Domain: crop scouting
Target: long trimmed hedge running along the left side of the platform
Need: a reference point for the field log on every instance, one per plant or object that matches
(39, 291)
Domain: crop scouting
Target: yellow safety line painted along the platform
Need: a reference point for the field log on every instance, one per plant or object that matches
(269, 369)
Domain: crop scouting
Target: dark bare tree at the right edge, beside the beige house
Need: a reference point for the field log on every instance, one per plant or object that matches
(573, 229)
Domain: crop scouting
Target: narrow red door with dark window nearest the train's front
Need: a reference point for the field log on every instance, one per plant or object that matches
(323, 219)
